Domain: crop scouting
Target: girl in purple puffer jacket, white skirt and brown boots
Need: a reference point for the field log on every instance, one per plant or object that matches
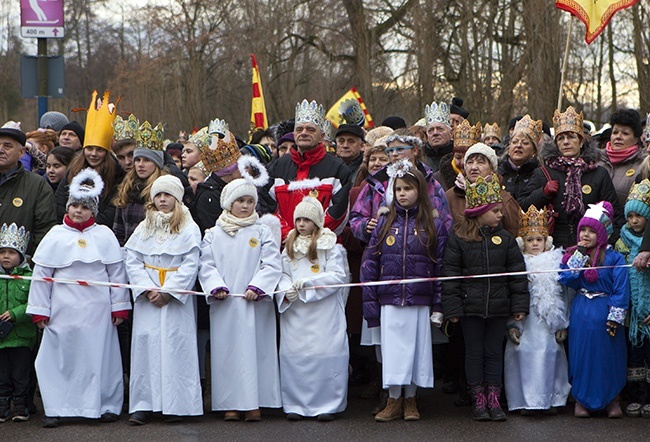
(408, 243)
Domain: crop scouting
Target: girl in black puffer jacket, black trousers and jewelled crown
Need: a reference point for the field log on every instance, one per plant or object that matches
(478, 246)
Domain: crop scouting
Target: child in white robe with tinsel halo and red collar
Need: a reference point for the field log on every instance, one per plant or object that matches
(78, 366)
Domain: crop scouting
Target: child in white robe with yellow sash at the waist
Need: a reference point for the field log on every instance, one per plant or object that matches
(163, 252)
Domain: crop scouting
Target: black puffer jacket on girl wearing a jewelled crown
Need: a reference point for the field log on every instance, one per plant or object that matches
(498, 252)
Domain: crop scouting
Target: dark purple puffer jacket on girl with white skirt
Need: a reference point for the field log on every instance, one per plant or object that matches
(405, 258)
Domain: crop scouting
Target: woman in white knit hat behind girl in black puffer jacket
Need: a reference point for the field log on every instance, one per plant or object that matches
(480, 160)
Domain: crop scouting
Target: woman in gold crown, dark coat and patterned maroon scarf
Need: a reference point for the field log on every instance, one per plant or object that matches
(574, 180)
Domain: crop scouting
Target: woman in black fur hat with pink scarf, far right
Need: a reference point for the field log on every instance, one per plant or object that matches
(624, 152)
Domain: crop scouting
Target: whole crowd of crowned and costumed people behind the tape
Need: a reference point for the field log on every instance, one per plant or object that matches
(149, 255)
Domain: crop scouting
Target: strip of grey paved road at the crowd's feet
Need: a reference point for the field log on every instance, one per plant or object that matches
(440, 421)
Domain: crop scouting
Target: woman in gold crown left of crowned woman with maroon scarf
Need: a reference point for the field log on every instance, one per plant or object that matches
(518, 165)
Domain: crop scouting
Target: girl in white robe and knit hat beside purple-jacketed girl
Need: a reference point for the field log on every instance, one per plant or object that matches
(314, 351)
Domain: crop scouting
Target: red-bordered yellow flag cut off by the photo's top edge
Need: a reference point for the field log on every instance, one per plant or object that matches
(594, 14)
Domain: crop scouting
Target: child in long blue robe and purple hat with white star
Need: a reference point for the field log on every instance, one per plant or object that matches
(597, 353)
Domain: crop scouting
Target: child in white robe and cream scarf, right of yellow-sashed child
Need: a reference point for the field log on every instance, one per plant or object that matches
(240, 267)
